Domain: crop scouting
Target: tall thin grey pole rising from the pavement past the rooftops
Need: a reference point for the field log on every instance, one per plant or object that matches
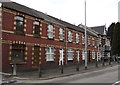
(85, 40)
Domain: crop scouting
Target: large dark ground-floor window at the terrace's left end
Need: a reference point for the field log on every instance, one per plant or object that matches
(18, 52)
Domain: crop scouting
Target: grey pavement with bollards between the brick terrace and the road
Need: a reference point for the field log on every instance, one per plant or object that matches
(47, 74)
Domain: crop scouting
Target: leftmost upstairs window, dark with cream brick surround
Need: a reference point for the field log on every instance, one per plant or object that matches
(19, 24)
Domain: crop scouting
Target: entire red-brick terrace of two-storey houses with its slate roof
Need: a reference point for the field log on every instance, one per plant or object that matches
(32, 38)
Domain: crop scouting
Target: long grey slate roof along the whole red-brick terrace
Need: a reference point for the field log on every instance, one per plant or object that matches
(29, 11)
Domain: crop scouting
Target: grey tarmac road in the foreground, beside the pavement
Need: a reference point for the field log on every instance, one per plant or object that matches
(107, 75)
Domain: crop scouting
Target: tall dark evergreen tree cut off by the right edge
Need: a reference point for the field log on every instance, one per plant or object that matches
(116, 40)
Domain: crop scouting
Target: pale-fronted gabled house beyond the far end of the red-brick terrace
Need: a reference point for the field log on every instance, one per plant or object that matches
(103, 43)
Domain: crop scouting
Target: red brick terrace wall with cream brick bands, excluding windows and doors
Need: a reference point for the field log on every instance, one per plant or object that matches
(9, 38)
